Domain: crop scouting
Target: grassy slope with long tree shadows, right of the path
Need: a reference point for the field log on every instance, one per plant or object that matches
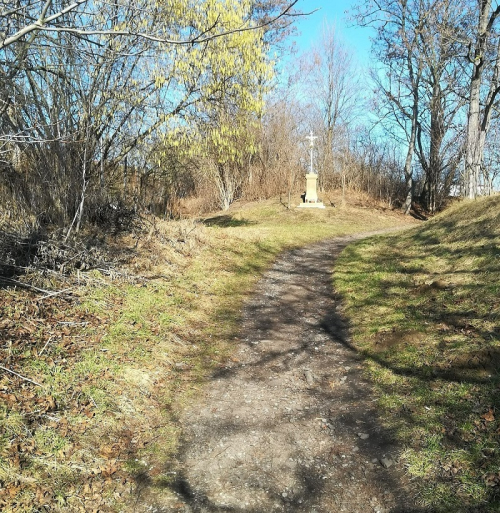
(425, 310)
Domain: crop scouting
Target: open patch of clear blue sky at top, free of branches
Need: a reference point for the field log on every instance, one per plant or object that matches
(333, 12)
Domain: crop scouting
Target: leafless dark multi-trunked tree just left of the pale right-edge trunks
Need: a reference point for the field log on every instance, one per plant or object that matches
(421, 83)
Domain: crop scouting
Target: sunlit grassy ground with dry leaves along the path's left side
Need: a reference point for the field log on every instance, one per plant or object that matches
(98, 359)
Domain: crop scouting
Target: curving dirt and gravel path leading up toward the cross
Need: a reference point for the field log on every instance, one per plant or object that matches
(291, 425)
